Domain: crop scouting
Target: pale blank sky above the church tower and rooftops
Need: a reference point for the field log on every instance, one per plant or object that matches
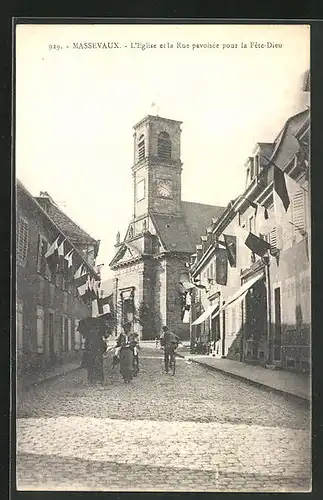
(76, 108)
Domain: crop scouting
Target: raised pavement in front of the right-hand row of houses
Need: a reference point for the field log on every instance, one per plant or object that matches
(280, 381)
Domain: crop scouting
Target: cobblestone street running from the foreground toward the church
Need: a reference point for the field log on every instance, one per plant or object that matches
(199, 430)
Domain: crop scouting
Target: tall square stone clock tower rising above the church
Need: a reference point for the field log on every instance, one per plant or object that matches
(157, 166)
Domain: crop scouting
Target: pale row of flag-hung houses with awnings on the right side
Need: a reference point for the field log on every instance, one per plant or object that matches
(256, 307)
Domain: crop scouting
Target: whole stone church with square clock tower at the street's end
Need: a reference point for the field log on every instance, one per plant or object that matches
(161, 236)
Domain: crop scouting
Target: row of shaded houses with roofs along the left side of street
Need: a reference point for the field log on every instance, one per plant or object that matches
(48, 306)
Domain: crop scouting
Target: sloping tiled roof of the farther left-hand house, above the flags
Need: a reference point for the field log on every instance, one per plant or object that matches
(70, 228)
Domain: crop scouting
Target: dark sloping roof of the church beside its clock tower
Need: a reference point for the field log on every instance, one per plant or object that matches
(182, 232)
